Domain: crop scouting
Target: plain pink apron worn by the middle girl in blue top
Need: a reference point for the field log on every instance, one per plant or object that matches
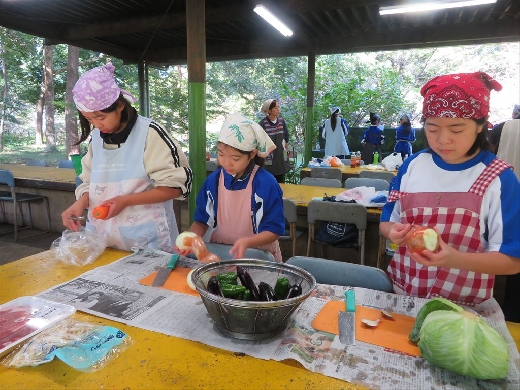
(234, 216)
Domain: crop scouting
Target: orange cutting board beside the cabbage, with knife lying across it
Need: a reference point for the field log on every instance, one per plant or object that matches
(391, 334)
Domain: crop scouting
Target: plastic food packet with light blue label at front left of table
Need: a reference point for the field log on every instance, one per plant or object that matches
(83, 346)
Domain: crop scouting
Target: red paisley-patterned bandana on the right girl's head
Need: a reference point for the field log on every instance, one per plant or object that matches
(462, 95)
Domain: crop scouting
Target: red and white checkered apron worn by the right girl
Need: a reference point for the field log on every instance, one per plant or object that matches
(456, 216)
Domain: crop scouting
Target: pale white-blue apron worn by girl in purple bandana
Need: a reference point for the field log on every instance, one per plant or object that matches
(121, 171)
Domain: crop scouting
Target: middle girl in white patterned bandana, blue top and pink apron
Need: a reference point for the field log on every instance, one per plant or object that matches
(241, 200)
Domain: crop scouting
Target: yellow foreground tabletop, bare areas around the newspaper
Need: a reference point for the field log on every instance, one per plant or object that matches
(155, 361)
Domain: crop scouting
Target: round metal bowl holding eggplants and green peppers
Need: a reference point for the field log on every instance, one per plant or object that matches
(252, 320)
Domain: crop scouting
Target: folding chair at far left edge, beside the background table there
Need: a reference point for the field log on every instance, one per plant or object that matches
(17, 198)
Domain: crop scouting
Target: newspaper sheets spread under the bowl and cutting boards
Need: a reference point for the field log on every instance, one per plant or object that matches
(185, 316)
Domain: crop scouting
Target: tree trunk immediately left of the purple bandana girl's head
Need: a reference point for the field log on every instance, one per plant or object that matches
(71, 119)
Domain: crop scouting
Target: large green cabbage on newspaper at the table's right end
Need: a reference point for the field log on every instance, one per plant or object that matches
(463, 343)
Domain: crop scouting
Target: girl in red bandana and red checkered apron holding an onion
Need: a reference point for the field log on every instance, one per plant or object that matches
(460, 188)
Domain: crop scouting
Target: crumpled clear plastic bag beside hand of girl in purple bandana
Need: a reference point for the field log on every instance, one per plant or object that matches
(79, 248)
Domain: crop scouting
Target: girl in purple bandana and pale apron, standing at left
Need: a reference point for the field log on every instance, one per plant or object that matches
(131, 165)
